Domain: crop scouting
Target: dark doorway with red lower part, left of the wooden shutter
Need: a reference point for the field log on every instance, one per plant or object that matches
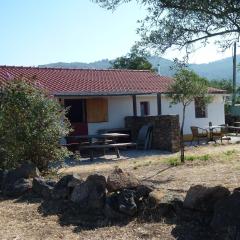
(77, 115)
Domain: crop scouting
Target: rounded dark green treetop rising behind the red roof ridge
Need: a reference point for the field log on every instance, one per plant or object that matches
(132, 61)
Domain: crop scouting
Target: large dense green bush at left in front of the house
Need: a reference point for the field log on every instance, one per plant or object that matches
(31, 125)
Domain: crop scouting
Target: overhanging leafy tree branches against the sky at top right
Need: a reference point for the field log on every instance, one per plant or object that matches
(181, 23)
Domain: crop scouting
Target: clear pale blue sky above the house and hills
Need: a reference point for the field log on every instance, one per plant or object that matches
(36, 32)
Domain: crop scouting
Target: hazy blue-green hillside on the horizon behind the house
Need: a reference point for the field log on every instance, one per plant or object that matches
(221, 69)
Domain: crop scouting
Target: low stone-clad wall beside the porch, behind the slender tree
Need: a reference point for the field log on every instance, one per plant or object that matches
(166, 130)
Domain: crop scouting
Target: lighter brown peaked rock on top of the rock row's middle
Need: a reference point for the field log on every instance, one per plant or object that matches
(118, 180)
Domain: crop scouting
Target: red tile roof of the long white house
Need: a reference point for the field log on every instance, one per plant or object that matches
(59, 81)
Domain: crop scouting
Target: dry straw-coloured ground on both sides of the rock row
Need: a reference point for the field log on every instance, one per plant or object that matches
(210, 165)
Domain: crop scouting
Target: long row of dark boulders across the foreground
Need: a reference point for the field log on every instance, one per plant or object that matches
(122, 196)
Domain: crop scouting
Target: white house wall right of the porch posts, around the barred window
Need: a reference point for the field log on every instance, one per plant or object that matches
(215, 113)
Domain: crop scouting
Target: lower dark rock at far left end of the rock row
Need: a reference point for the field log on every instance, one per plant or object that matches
(17, 188)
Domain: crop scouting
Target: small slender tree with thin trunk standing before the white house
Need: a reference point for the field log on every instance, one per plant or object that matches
(187, 86)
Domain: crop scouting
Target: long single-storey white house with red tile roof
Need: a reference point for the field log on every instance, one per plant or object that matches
(100, 99)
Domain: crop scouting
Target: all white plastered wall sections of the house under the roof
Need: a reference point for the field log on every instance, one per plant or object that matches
(121, 106)
